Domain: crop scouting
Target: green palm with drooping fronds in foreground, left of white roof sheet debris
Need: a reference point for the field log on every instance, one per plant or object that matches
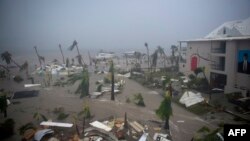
(165, 109)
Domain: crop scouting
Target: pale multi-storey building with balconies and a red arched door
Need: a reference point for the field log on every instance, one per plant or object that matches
(221, 53)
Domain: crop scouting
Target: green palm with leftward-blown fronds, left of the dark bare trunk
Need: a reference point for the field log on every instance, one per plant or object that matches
(83, 87)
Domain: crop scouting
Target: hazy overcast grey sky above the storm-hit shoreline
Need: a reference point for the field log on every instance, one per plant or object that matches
(112, 25)
